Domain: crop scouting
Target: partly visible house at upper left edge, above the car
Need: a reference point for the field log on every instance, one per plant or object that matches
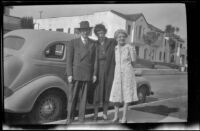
(10, 22)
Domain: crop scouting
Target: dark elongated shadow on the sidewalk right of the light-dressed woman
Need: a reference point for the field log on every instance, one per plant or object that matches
(159, 109)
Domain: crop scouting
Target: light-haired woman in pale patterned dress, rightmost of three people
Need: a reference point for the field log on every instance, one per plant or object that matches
(124, 83)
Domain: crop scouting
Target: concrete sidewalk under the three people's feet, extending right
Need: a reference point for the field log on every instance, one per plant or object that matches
(157, 111)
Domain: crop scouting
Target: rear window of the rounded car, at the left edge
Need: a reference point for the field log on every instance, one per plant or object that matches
(14, 42)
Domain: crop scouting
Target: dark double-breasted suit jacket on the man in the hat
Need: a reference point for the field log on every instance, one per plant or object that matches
(82, 60)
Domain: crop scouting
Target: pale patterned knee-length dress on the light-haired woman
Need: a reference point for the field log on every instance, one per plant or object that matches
(124, 84)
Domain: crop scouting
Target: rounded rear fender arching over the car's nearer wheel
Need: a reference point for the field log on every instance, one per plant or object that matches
(22, 101)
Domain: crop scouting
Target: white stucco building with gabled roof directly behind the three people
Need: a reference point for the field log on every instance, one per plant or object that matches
(135, 25)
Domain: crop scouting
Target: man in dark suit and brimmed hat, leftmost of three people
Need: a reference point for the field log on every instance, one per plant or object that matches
(81, 70)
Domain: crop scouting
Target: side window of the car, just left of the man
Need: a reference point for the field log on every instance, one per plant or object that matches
(56, 51)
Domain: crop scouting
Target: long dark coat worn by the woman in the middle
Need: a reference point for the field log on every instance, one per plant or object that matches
(105, 72)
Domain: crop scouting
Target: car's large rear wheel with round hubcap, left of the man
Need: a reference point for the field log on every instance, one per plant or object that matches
(49, 107)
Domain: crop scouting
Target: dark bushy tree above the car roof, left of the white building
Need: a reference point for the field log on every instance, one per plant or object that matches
(27, 23)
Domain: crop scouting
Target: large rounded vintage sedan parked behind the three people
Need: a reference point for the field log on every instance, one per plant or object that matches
(34, 79)
